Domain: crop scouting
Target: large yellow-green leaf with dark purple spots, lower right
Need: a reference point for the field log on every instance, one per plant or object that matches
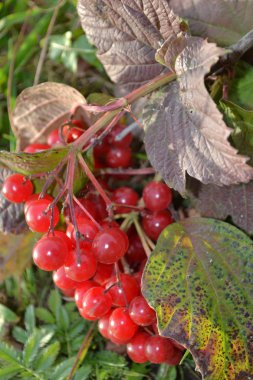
(198, 279)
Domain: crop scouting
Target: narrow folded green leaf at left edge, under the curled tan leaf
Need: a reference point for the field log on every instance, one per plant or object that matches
(32, 163)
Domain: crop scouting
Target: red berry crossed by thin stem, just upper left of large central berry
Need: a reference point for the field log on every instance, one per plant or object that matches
(87, 229)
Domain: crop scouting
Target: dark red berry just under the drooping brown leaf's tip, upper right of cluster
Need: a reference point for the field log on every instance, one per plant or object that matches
(157, 196)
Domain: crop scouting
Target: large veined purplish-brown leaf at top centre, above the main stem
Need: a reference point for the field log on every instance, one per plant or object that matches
(127, 34)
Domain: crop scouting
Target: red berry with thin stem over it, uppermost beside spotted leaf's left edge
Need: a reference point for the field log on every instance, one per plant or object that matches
(123, 294)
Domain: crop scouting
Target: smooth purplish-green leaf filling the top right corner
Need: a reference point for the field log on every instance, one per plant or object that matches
(222, 21)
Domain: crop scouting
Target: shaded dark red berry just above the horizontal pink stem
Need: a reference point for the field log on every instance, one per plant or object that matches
(118, 157)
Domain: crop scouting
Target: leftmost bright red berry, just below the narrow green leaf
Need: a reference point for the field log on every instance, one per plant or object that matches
(17, 189)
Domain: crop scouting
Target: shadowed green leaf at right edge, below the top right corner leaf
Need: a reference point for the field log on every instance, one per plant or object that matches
(240, 89)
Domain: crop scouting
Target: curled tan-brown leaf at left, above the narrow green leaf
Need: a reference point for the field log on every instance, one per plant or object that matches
(42, 108)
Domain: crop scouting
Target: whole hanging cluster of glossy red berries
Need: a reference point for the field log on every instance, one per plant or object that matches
(89, 262)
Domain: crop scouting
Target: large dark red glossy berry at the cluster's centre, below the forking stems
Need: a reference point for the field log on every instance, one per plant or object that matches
(110, 245)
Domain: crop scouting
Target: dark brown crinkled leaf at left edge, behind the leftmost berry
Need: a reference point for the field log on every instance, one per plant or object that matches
(11, 214)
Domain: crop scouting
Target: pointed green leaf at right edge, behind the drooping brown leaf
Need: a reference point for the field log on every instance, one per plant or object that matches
(241, 120)
